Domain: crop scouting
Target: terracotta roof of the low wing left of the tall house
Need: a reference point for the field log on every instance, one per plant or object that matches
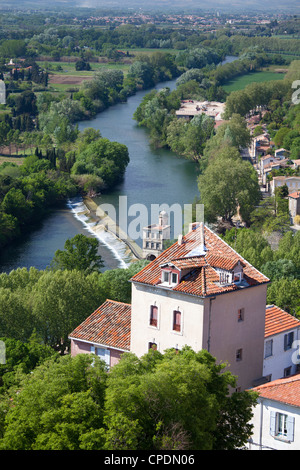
(110, 325)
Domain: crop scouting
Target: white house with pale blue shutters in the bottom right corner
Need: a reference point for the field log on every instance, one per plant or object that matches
(276, 417)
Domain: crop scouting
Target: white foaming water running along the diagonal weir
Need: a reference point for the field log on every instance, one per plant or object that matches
(116, 246)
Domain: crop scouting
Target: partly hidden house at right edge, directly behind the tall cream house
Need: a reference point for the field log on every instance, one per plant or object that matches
(282, 333)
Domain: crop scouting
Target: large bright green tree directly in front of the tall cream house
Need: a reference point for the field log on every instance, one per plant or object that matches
(151, 403)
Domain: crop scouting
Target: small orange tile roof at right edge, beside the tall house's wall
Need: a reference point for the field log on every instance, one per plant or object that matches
(277, 321)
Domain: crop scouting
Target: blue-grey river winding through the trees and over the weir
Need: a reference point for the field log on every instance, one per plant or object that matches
(152, 177)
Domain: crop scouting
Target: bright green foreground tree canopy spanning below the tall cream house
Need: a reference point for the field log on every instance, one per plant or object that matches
(171, 401)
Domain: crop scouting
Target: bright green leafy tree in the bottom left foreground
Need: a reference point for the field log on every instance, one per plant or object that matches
(59, 407)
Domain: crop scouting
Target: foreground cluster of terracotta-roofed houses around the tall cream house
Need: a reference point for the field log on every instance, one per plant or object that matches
(200, 292)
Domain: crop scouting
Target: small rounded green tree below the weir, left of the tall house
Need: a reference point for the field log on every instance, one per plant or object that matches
(80, 253)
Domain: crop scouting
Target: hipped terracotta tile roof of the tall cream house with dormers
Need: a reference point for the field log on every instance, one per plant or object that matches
(202, 279)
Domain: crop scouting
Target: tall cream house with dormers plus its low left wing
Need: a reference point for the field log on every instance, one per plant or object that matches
(198, 292)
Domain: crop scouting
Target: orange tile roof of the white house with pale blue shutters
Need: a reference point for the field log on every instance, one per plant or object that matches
(286, 390)
